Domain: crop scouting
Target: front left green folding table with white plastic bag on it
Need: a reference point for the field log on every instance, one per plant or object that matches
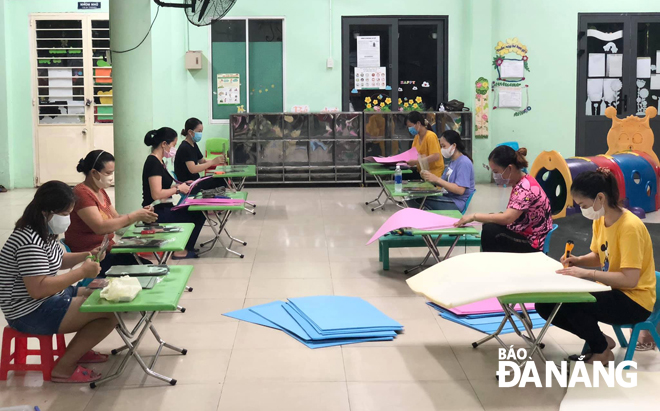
(163, 297)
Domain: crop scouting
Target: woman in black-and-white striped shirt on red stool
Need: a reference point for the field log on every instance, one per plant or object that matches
(36, 300)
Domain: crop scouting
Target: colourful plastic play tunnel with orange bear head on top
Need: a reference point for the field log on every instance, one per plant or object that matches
(630, 157)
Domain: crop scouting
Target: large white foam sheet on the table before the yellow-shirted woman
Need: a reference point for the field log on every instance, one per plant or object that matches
(468, 278)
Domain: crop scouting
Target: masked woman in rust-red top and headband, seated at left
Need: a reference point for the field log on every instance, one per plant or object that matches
(94, 216)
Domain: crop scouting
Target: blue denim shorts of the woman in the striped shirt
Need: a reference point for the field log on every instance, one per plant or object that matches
(46, 319)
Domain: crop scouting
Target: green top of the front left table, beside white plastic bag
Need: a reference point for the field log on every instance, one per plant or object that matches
(163, 297)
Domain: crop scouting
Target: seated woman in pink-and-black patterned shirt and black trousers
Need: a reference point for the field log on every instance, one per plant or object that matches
(523, 226)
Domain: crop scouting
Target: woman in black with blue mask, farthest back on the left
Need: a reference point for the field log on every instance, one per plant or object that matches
(189, 162)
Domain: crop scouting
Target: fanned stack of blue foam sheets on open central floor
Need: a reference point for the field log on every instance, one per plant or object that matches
(323, 321)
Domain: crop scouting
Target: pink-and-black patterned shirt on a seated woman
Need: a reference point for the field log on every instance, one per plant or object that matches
(536, 220)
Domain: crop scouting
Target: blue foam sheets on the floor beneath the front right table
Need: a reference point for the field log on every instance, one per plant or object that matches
(487, 322)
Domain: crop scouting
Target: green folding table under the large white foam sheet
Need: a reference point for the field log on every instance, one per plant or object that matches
(508, 303)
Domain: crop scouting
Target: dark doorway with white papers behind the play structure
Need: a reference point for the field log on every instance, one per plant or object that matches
(618, 66)
